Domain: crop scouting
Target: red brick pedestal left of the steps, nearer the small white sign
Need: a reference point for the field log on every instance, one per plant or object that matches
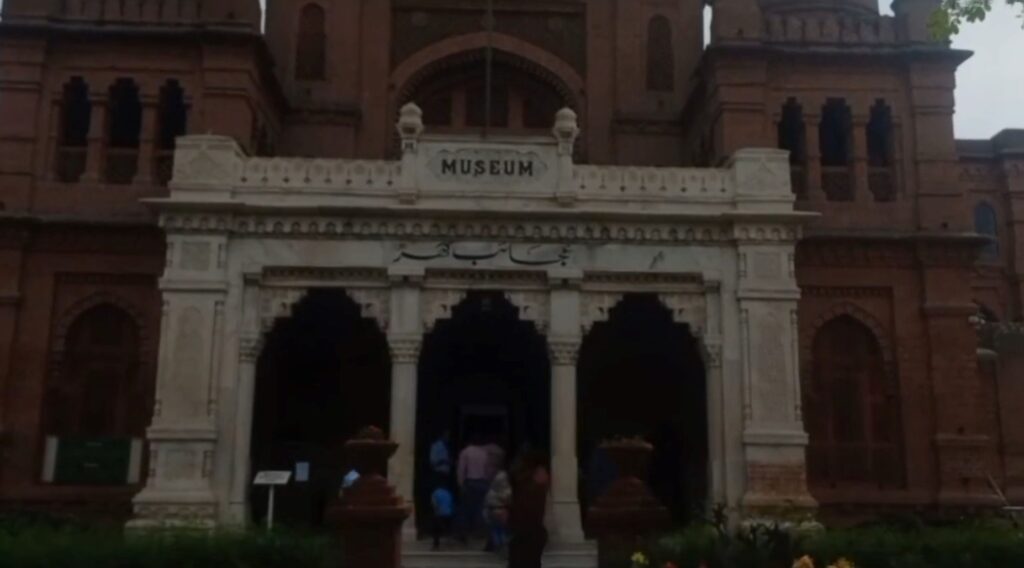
(371, 514)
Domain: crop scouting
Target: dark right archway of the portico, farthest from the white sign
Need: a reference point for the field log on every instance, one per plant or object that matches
(641, 374)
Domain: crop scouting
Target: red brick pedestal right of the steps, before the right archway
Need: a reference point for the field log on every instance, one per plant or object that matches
(627, 515)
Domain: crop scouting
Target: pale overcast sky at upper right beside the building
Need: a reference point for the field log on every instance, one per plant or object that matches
(991, 85)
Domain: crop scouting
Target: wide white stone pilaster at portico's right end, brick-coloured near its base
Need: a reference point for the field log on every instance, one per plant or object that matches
(774, 438)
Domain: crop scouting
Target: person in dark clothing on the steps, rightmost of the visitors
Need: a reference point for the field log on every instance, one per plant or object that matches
(530, 499)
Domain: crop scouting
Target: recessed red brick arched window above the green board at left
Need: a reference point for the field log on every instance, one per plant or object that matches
(98, 394)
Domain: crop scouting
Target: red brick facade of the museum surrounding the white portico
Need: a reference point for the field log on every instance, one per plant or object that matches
(865, 102)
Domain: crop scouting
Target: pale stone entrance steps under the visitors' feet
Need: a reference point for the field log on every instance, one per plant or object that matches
(558, 556)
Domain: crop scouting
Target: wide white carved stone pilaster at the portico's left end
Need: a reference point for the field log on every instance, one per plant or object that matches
(184, 436)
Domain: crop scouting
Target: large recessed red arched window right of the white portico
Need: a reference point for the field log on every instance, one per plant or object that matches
(852, 411)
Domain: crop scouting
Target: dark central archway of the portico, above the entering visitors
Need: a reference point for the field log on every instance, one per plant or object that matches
(487, 373)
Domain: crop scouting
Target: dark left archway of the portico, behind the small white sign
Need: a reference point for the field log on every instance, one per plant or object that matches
(325, 374)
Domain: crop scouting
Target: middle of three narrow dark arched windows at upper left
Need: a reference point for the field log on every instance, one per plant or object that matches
(125, 129)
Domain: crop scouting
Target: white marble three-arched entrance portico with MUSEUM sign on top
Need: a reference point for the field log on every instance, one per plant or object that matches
(248, 237)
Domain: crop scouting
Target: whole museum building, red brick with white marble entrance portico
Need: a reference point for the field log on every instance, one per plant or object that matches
(229, 246)
